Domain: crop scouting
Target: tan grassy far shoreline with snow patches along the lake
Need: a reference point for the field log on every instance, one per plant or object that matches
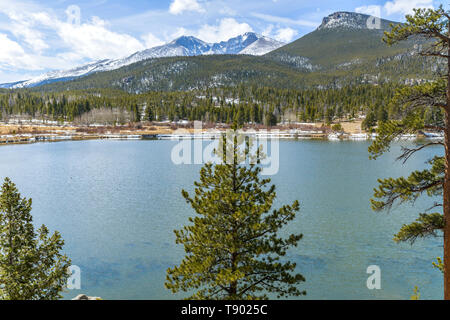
(34, 133)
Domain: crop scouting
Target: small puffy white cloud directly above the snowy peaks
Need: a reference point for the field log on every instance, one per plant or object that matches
(226, 29)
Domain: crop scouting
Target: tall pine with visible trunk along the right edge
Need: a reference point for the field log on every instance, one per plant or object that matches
(413, 103)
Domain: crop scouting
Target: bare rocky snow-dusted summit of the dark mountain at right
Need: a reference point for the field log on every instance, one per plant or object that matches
(343, 19)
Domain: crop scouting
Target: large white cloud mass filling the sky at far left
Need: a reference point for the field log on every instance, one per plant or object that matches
(72, 44)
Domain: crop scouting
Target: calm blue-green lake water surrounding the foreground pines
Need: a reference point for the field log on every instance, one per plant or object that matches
(117, 203)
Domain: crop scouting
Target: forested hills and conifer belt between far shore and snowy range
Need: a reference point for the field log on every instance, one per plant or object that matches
(340, 71)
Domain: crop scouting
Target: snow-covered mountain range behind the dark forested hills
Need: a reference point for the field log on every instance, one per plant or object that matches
(248, 43)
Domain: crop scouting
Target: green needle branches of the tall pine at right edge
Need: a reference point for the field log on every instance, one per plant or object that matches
(417, 108)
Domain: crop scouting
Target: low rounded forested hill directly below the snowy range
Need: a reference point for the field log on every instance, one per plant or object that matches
(188, 73)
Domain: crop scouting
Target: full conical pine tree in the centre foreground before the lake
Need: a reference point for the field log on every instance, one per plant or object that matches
(232, 247)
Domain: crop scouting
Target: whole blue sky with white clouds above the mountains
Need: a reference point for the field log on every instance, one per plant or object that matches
(39, 36)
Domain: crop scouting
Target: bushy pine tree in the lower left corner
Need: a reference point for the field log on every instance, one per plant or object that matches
(31, 265)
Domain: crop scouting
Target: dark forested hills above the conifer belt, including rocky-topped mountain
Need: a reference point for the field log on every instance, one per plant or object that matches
(344, 51)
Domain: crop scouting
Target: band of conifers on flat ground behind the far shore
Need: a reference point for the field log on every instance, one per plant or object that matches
(241, 104)
